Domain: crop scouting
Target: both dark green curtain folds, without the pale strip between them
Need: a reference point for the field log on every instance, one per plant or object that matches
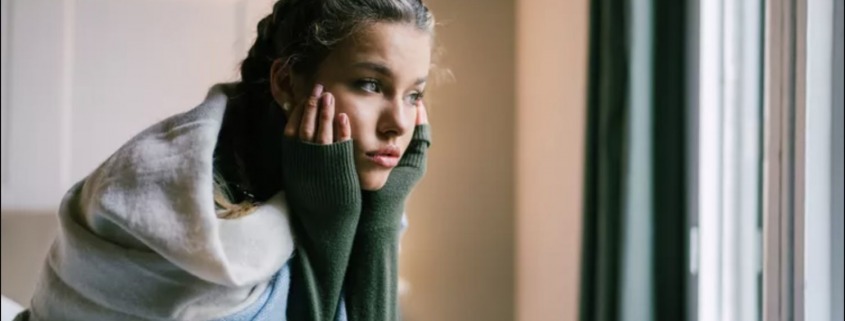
(607, 150)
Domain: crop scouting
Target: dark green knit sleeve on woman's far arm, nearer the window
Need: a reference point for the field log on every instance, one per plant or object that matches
(372, 276)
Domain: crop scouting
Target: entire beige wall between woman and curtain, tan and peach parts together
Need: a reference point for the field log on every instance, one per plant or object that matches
(495, 226)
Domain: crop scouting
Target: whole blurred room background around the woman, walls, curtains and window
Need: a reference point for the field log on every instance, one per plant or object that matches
(592, 159)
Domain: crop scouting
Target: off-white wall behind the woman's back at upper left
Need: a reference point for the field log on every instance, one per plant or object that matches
(80, 77)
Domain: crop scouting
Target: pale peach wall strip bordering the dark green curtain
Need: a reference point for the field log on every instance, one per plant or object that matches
(551, 98)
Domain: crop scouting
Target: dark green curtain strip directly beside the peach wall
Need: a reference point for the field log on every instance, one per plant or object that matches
(607, 120)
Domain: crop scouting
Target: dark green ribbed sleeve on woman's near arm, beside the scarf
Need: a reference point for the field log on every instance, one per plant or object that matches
(324, 196)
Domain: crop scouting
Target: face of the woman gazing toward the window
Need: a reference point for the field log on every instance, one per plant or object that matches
(377, 78)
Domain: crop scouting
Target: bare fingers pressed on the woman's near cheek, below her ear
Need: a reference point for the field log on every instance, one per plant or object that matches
(314, 120)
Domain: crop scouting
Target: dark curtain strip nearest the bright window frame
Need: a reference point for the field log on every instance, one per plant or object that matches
(669, 163)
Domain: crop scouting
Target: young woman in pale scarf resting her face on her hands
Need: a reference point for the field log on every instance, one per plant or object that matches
(280, 197)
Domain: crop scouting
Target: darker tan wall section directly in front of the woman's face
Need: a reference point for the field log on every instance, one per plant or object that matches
(458, 254)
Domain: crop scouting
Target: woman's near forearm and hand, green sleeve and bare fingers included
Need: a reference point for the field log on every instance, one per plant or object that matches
(324, 196)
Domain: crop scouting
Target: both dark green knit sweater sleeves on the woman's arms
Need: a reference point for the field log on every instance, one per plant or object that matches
(347, 239)
